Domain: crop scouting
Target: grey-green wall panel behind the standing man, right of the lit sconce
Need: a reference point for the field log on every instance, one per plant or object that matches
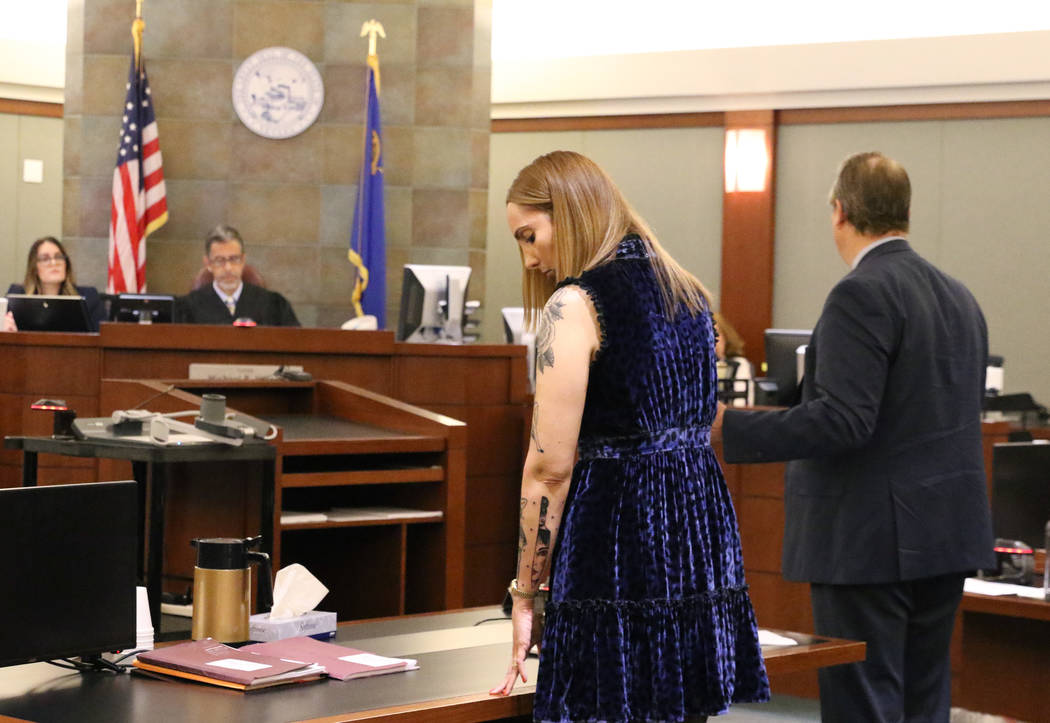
(979, 211)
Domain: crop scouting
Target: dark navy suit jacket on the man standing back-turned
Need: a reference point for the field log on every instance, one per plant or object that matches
(888, 482)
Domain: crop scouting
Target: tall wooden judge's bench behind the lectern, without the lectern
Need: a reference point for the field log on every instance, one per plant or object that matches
(484, 386)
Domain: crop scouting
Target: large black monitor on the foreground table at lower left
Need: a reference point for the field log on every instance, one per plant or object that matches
(69, 570)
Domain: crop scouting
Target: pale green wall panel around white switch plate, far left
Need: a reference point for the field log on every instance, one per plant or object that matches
(28, 211)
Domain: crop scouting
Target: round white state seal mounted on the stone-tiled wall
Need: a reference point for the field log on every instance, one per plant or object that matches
(278, 93)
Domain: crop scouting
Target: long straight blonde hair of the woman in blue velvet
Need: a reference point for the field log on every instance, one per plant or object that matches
(590, 218)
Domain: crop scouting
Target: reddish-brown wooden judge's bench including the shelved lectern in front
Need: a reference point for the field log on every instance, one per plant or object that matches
(383, 423)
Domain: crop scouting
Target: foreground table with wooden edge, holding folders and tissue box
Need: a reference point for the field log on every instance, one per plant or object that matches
(460, 660)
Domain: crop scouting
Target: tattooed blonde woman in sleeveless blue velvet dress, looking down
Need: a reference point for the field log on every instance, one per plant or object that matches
(623, 504)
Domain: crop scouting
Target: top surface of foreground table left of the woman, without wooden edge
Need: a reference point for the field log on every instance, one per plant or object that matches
(43, 693)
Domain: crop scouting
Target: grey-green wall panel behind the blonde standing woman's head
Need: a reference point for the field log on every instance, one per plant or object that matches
(673, 178)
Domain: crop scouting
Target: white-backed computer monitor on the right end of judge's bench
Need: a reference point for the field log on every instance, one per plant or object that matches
(433, 303)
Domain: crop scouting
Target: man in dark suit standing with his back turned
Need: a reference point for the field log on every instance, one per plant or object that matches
(886, 505)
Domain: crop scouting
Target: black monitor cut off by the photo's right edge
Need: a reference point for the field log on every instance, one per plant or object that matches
(1021, 492)
